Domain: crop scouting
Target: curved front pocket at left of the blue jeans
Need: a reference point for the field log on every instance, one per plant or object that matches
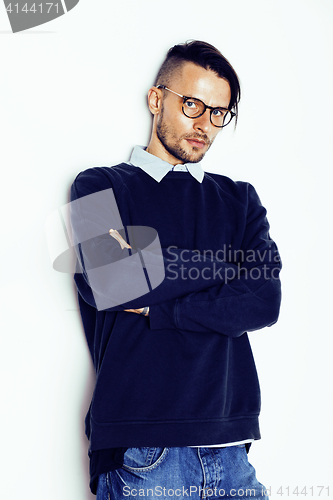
(143, 459)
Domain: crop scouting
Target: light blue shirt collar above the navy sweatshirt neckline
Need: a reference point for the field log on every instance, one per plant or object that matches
(157, 168)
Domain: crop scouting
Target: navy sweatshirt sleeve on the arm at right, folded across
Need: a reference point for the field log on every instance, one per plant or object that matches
(248, 301)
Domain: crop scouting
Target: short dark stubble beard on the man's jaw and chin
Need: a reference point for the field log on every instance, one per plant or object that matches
(171, 143)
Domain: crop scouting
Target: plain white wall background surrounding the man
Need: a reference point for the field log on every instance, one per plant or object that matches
(73, 95)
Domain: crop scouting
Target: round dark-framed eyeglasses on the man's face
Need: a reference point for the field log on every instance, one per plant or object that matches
(193, 108)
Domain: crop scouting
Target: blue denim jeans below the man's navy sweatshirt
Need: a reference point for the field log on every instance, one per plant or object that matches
(182, 473)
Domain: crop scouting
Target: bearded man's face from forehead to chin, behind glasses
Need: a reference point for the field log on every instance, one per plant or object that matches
(182, 139)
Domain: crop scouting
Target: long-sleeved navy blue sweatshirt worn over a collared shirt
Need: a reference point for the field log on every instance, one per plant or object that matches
(185, 375)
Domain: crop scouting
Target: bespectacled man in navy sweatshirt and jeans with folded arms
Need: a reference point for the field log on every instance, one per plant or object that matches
(177, 398)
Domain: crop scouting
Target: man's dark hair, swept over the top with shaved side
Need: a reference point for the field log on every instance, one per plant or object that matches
(205, 55)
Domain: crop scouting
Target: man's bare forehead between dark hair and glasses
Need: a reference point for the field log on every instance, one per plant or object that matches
(194, 81)
